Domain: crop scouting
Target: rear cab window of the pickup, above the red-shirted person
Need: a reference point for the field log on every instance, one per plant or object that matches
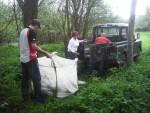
(109, 31)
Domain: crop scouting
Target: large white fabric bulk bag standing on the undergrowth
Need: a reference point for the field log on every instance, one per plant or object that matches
(66, 83)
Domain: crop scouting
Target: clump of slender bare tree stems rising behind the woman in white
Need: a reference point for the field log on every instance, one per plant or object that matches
(76, 17)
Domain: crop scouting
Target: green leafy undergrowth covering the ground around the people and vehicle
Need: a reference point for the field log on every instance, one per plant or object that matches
(126, 90)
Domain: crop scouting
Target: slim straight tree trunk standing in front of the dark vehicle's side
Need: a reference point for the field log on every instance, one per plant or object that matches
(131, 33)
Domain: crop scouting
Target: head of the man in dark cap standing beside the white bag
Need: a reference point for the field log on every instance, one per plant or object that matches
(35, 24)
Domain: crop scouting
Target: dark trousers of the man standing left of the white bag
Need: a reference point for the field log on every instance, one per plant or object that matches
(30, 71)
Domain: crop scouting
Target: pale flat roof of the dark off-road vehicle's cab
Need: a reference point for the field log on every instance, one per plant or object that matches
(112, 25)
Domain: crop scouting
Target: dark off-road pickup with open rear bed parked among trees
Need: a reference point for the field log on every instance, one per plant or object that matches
(104, 56)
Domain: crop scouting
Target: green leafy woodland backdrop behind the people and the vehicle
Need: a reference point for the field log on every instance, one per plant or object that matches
(52, 14)
